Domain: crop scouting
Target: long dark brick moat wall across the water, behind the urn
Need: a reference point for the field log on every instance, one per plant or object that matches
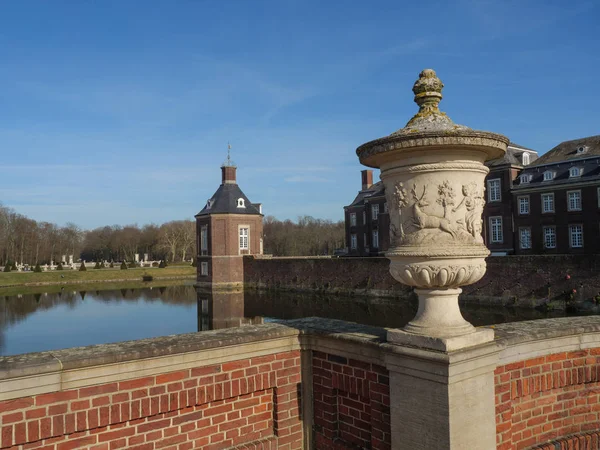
(510, 280)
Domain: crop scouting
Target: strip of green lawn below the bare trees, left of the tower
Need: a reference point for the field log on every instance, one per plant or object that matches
(64, 277)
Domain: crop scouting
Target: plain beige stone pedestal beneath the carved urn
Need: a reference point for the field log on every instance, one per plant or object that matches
(443, 400)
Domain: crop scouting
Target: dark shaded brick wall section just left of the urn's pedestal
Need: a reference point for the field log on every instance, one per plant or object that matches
(351, 404)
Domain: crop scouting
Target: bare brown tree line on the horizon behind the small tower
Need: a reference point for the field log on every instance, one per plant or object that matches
(24, 240)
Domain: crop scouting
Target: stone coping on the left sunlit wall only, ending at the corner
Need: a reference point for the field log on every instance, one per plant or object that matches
(82, 357)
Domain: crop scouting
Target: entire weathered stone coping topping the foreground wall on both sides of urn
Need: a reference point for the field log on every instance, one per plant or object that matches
(506, 335)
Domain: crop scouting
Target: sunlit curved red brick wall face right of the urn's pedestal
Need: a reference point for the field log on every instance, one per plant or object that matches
(547, 399)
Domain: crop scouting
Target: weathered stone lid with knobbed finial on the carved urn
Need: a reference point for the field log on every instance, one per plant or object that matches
(431, 127)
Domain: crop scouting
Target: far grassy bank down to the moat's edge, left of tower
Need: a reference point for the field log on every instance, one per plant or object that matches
(13, 283)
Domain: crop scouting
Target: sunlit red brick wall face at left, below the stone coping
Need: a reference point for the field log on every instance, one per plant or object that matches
(253, 402)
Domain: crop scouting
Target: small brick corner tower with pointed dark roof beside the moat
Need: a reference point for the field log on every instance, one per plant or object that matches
(228, 227)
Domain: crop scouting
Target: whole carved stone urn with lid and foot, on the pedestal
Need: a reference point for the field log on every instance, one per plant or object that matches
(433, 171)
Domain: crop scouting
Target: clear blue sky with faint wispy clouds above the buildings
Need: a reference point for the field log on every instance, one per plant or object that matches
(118, 112)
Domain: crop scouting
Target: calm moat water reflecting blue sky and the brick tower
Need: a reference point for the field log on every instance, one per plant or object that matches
(71, 318)
